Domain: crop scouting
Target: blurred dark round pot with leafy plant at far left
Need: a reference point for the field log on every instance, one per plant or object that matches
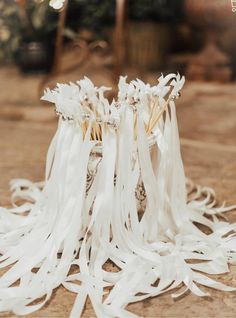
(31, 27)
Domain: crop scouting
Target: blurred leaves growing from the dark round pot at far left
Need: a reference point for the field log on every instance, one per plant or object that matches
(37, 21)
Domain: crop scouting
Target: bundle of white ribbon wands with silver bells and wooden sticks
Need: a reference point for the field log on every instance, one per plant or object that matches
(115, 208)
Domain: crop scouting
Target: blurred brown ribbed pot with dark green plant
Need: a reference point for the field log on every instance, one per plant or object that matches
(149, 35)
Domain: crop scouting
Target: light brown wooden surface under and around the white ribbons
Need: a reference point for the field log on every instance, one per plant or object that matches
(207, 122)
